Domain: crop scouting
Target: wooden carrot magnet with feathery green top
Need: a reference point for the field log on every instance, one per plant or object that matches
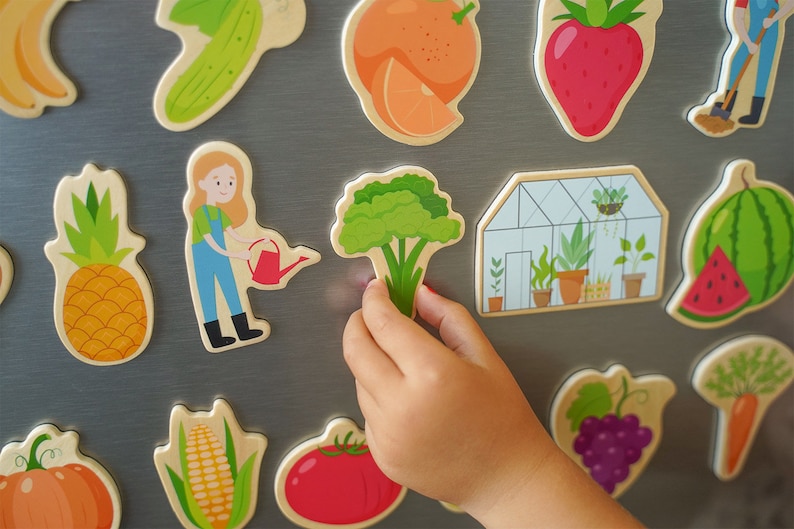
(741, 378)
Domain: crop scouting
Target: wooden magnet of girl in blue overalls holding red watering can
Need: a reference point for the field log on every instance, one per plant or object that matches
(227, 252)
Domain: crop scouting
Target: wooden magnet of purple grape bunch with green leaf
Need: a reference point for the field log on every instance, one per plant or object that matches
(610, 423)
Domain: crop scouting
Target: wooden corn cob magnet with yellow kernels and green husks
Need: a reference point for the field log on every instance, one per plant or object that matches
(210, 467)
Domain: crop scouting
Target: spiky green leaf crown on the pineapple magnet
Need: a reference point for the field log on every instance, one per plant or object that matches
(95, 237)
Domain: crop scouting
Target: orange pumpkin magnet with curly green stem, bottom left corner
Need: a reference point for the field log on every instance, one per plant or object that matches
(45, 481)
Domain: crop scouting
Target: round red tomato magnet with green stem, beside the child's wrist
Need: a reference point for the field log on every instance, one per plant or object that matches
(332, 481)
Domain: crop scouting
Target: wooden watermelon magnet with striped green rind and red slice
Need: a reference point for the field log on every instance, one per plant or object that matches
(737, 254)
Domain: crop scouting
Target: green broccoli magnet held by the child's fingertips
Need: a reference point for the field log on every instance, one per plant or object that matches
(398, 219)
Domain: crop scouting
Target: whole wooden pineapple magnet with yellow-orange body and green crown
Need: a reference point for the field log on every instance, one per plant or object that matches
(104, 308)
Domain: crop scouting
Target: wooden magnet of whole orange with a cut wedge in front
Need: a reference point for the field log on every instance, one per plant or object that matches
(411, 62)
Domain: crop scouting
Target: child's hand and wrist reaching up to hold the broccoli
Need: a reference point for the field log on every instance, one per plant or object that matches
(449, 420)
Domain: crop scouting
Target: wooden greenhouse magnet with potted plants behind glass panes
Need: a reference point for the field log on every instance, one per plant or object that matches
(561, 240)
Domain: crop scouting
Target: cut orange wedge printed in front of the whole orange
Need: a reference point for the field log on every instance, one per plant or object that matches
(406, 104)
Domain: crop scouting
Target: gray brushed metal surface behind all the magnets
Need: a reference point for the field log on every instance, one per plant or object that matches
(302, 126)
